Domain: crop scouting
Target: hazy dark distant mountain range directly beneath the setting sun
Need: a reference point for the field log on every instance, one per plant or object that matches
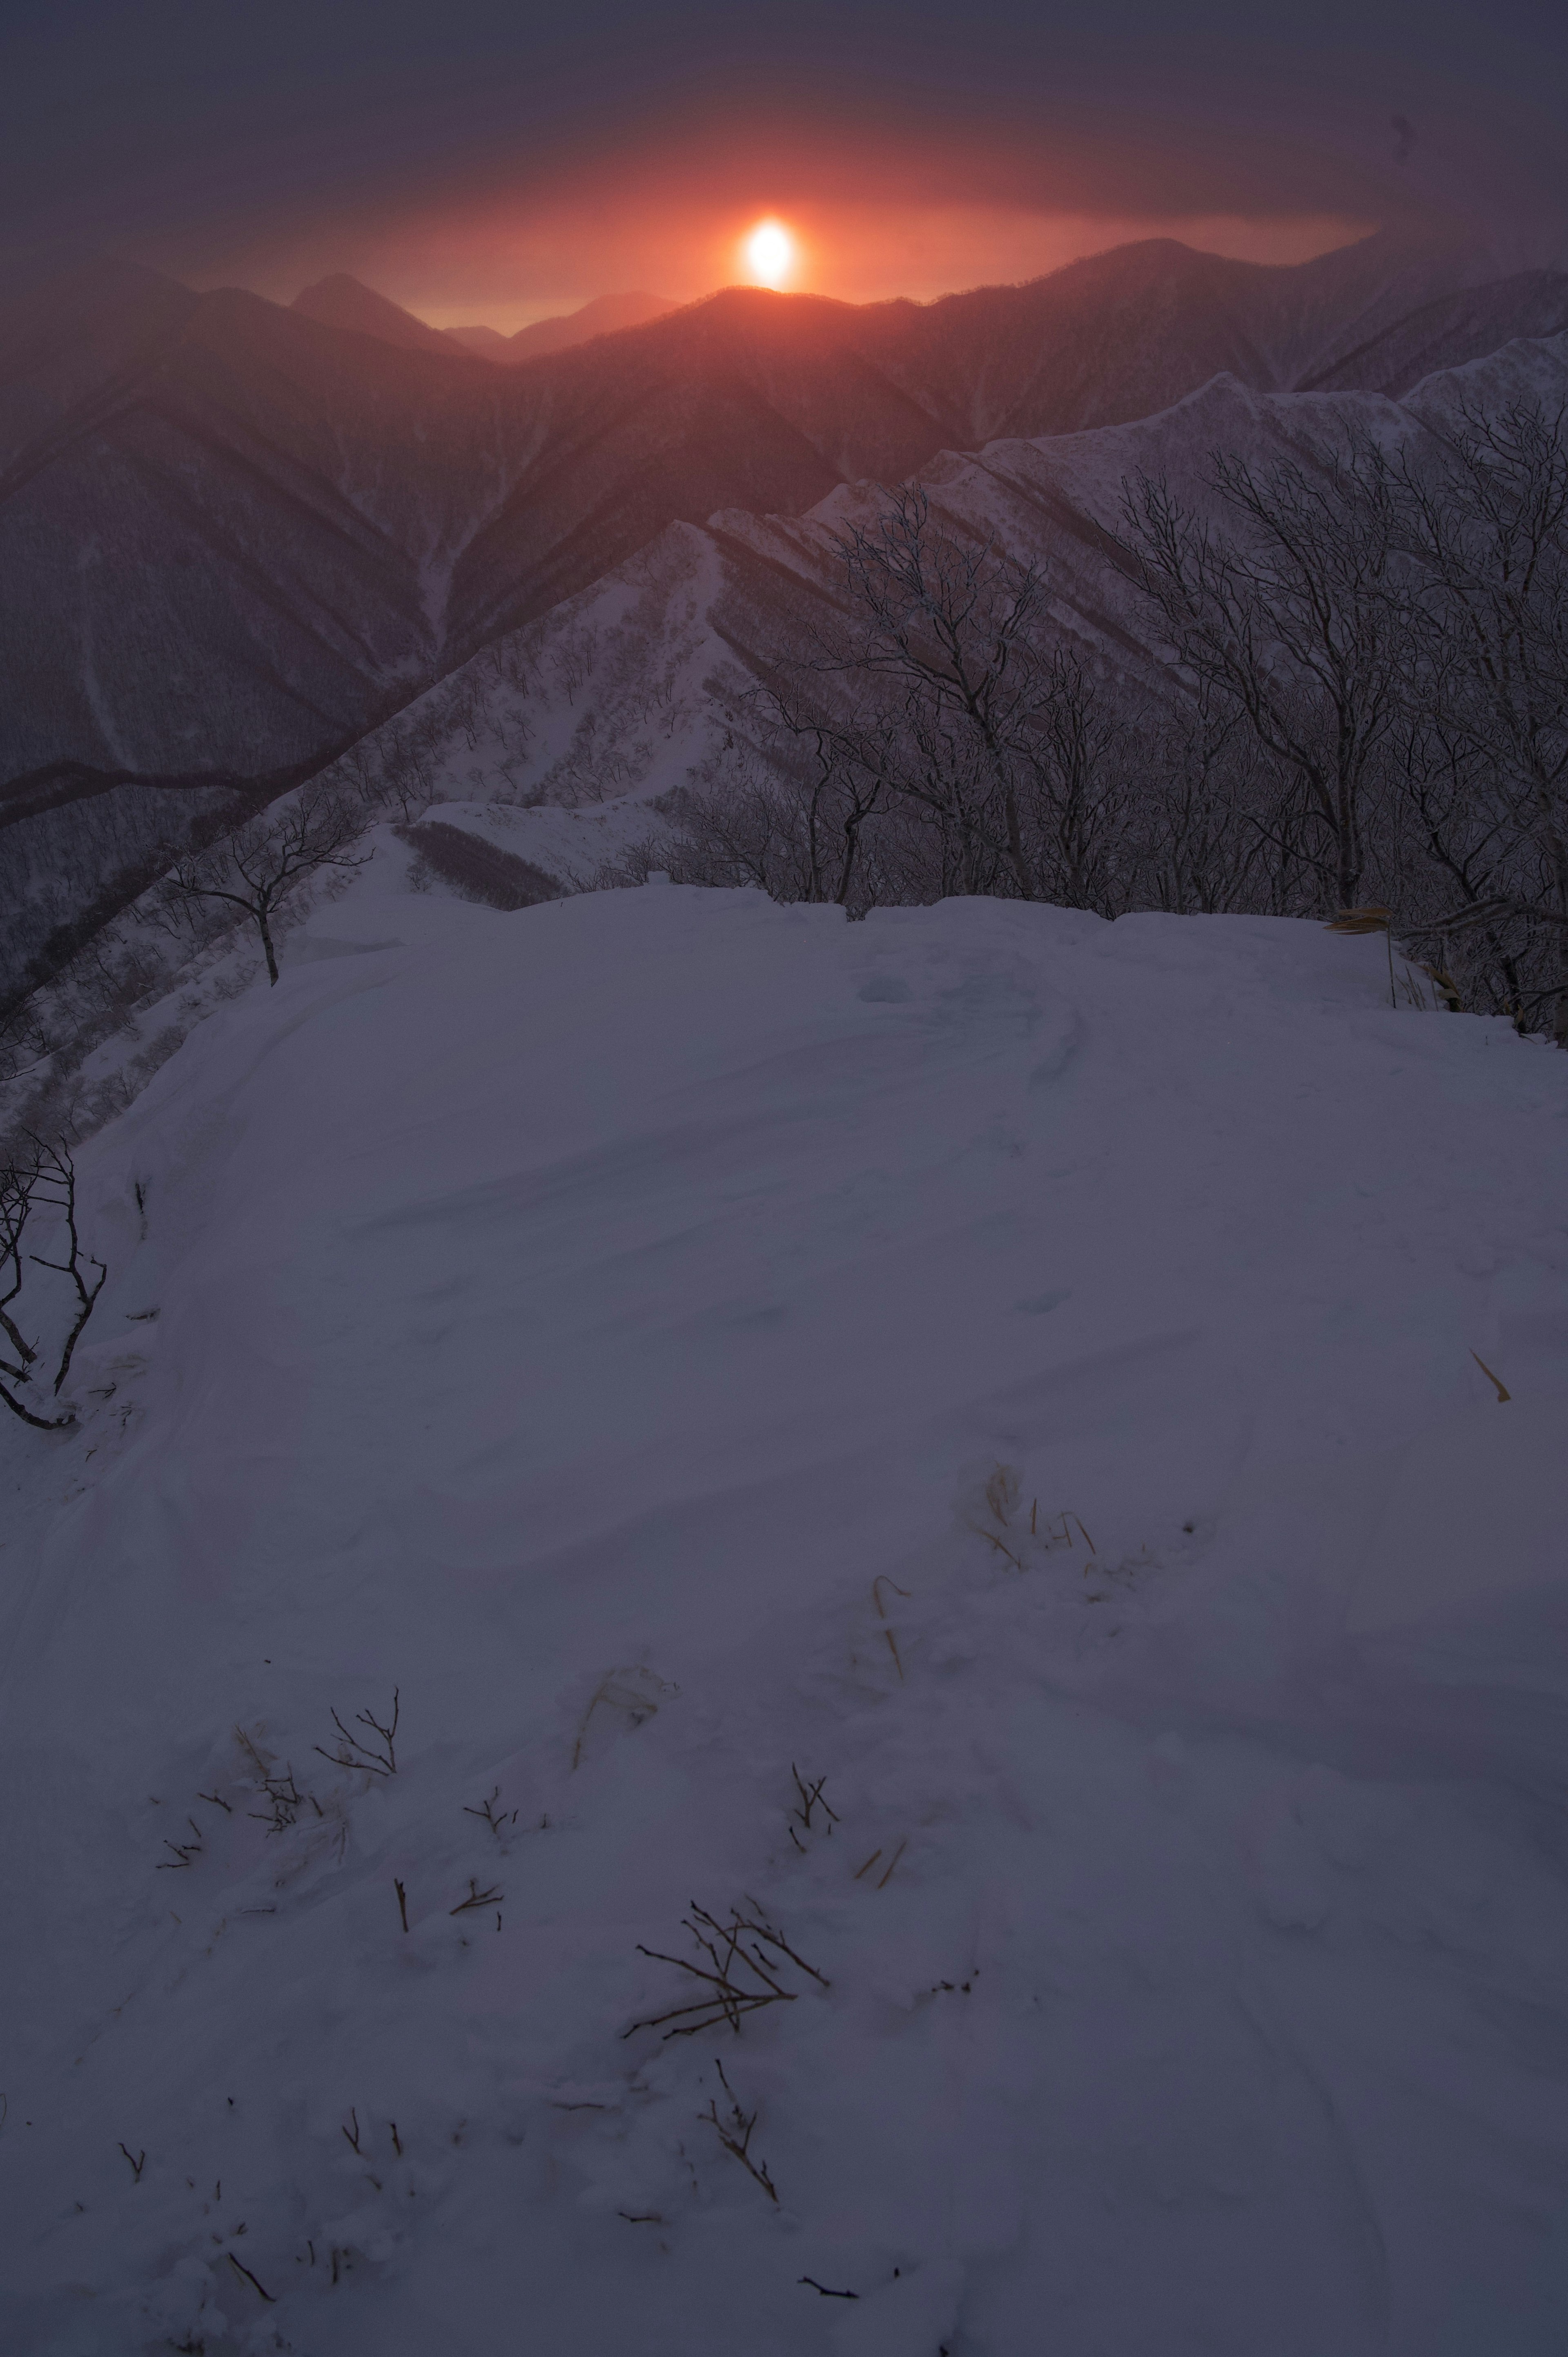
(235, 534)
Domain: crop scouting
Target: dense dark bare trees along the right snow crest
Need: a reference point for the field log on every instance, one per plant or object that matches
(1362, 701)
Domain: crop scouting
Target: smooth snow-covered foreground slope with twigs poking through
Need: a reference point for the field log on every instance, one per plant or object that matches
(1008, 1366)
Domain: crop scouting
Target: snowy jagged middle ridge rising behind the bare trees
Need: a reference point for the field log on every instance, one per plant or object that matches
(643, 682)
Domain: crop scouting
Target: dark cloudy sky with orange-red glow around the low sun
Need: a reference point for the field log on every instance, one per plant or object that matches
(496, 161)
